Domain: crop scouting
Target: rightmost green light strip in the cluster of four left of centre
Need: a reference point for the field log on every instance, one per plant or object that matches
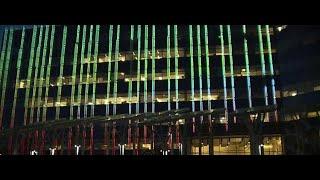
(96, 49)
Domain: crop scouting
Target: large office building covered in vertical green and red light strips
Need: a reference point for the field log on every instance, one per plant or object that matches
(140, 89)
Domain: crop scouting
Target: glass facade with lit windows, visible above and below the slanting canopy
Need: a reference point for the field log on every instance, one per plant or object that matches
(52, 73)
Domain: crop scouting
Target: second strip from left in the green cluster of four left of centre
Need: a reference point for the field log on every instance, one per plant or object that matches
(83, 46)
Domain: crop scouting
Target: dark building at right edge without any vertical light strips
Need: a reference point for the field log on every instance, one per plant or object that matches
(298, 52)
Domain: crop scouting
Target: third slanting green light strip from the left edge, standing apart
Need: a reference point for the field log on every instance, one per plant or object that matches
(13, 111)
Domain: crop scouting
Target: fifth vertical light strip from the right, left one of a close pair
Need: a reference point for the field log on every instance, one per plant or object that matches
(223, 72)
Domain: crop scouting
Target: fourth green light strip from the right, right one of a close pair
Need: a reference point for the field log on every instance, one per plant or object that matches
(231, 68)
